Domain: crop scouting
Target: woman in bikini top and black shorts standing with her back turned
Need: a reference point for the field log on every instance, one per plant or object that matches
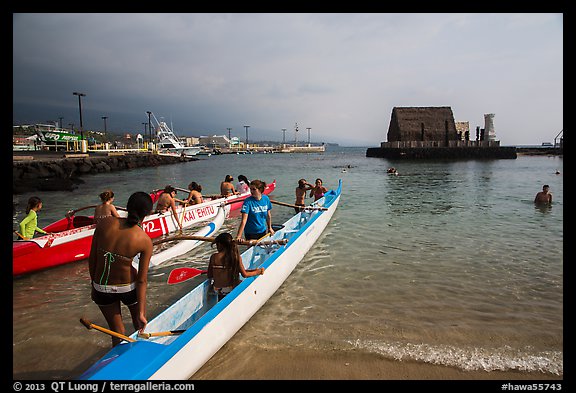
(114, 280)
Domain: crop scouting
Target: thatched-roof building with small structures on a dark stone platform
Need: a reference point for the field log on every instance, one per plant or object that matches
(431, 132)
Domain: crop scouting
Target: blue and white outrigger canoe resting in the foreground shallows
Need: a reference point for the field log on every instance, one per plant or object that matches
(189, 332)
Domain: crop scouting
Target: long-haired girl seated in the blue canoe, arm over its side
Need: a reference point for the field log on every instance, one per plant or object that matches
(226, 266)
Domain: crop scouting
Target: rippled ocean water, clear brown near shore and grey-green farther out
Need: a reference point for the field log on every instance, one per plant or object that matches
(448, 263)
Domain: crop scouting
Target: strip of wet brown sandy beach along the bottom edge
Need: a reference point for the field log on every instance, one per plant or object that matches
(338, 365)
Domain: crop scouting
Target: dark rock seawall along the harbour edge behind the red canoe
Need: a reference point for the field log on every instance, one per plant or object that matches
(42, 173)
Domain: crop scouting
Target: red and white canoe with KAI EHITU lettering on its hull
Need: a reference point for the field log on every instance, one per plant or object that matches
(70, 238)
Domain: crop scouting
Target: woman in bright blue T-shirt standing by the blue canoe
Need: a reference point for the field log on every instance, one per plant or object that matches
(256, 213)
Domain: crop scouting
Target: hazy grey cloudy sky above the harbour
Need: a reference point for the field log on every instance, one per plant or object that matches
(338, 74)
